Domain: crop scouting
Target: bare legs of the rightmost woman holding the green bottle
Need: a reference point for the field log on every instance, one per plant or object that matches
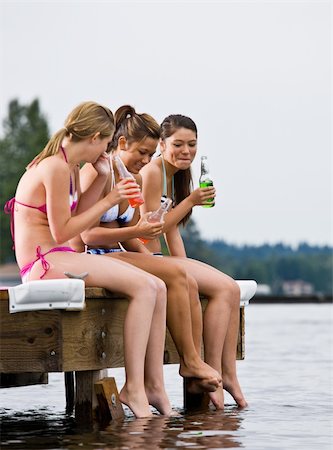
(221, 324)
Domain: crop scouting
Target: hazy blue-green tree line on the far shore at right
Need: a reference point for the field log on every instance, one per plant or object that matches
(266, 263)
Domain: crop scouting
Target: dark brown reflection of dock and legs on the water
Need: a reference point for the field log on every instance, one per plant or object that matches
(200, 430)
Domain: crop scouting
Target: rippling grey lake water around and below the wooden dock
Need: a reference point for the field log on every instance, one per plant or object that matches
(287, 378)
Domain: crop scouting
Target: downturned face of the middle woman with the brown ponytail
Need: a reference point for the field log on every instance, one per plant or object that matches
(138, 154)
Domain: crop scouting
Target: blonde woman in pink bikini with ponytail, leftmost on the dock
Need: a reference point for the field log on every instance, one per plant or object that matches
(48, 210)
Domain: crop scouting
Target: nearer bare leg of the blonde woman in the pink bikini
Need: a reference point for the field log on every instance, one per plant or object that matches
(141, 292)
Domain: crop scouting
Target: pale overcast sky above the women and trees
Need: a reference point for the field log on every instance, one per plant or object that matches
(253, 75)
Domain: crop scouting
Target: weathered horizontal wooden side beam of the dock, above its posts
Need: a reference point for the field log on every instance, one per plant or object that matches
(59, 340)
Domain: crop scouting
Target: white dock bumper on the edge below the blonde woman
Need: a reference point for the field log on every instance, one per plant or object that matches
(35, 295)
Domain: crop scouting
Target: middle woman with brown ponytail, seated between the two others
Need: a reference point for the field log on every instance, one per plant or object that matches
(135, 141)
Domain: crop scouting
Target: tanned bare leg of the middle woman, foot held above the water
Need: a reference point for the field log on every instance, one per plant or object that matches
(178, 314)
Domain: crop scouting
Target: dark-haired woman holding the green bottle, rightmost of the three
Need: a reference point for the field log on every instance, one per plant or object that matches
(170, 175)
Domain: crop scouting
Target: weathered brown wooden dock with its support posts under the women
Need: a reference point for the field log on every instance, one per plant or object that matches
(81, 344)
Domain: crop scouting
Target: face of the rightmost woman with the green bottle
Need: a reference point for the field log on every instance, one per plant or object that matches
(180, 148)
